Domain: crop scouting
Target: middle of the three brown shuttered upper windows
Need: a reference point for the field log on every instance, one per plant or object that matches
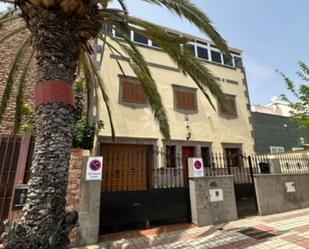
(185, 98)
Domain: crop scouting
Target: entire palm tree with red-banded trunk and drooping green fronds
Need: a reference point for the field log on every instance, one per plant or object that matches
(60, 32)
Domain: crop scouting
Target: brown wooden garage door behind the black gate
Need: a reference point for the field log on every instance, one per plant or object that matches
(125, 167)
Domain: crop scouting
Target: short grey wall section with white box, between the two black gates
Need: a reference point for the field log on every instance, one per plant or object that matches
(206, 205)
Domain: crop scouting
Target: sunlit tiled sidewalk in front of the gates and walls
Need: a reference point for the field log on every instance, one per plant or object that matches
(285, 231)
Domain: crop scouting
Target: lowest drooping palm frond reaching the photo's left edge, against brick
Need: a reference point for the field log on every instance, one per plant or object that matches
(13, 70)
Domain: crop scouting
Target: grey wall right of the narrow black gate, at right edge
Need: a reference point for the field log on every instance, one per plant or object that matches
(278, 193)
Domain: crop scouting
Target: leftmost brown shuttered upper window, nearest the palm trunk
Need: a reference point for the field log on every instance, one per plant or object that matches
(132, 92)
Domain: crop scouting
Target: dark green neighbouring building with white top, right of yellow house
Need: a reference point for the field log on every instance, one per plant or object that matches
(274, 131)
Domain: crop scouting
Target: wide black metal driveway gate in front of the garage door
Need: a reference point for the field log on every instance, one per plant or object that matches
(137, 195)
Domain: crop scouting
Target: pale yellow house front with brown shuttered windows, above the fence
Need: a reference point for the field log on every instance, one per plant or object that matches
(196, 129)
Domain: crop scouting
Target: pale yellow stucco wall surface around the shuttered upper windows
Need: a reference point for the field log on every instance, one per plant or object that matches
(206, 125)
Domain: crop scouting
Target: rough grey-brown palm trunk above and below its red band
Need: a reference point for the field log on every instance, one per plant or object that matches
(45, 223)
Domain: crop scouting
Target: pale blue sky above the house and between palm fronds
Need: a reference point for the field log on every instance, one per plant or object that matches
(272, 33)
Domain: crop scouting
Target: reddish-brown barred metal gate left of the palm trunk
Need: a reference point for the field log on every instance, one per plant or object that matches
(15, 161)
